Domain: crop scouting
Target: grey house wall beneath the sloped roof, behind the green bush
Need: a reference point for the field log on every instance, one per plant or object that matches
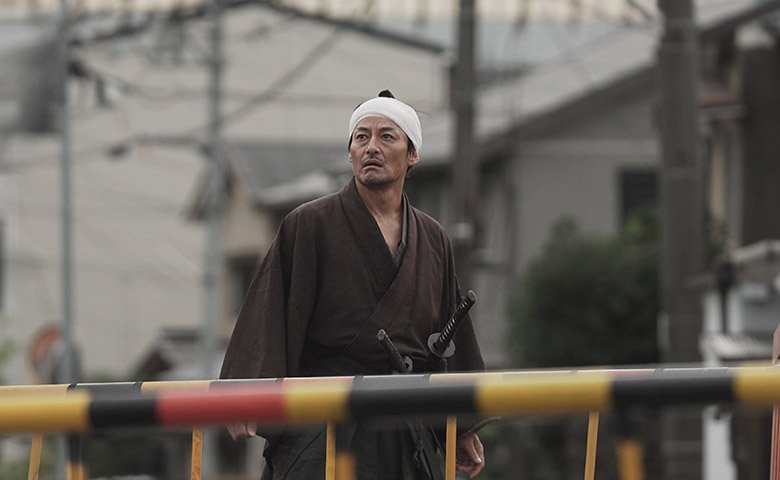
(570, 170)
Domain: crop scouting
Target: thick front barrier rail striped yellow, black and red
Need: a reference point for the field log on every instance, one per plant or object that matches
(342, 399)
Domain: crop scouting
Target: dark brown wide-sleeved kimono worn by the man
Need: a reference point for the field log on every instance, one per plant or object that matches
(327, 284)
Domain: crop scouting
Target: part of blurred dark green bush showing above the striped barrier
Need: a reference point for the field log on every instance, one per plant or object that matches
(589, 300)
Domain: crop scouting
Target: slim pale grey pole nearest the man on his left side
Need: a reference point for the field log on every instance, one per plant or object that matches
(213, 257)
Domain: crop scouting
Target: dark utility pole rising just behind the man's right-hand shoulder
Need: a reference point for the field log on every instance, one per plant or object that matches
(465, 171)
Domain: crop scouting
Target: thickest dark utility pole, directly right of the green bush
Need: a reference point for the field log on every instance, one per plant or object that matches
(683, 235)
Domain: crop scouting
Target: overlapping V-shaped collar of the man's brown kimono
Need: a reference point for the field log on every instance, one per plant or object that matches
(396, 301)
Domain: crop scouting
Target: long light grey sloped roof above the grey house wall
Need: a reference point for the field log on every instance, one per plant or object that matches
(591, 66)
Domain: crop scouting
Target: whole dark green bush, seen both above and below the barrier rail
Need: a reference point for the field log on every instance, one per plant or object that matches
(586, 300)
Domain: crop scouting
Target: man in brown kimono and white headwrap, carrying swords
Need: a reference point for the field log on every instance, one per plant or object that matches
(340, 268)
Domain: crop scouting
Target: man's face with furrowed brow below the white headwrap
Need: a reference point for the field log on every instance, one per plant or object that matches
(379, 153)
